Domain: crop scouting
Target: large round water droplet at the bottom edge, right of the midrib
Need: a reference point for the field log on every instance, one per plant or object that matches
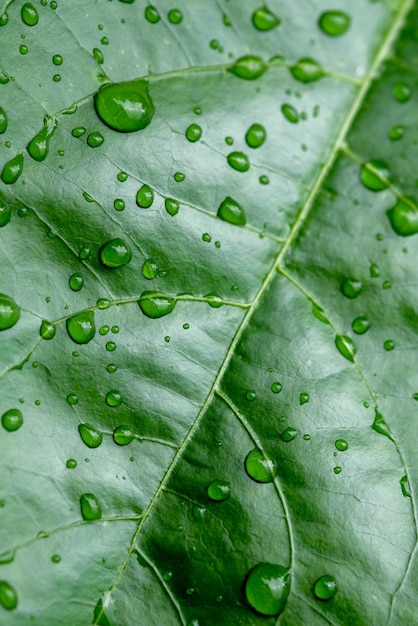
(267, 587)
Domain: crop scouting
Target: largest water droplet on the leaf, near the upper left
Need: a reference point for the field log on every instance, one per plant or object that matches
(125, 107)
